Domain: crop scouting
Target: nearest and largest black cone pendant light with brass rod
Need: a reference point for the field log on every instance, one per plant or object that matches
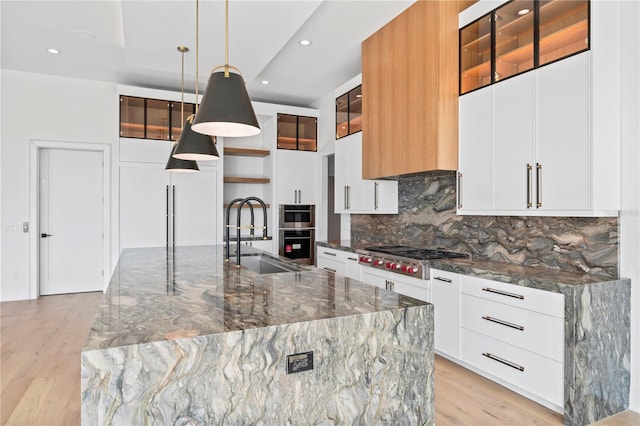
(226, 109)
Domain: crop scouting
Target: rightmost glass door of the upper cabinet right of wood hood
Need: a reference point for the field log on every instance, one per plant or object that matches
(564, 28)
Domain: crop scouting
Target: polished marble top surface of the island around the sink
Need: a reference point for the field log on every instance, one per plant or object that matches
(157, 294)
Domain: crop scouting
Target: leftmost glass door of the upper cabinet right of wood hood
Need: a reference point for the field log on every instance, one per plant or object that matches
(475, 55)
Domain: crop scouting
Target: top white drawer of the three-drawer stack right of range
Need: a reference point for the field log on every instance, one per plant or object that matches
(545, 302)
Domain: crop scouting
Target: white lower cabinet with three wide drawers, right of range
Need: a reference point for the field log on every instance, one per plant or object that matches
(511, 334)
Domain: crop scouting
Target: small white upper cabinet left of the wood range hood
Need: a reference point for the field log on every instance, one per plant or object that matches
(354, 194)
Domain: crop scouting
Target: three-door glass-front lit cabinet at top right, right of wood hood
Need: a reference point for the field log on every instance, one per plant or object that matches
(519, 36)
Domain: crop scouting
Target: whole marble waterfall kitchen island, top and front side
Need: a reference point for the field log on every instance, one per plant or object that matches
(182, 337)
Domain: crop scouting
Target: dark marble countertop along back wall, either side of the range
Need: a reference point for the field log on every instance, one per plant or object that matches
(528, 276)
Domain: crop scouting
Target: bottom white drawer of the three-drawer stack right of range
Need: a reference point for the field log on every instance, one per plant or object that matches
(533, 373)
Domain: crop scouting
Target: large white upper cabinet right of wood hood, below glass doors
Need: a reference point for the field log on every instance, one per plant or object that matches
(545, 142)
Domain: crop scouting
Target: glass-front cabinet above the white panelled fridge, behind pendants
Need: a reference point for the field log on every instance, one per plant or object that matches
(144, 118)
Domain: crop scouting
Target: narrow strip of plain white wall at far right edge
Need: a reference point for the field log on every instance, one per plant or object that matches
(630, 179)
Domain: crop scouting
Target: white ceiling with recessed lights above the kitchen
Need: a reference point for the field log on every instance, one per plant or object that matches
(134, 42)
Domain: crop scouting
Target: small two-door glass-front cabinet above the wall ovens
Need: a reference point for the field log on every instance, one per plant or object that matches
(297, 132)
